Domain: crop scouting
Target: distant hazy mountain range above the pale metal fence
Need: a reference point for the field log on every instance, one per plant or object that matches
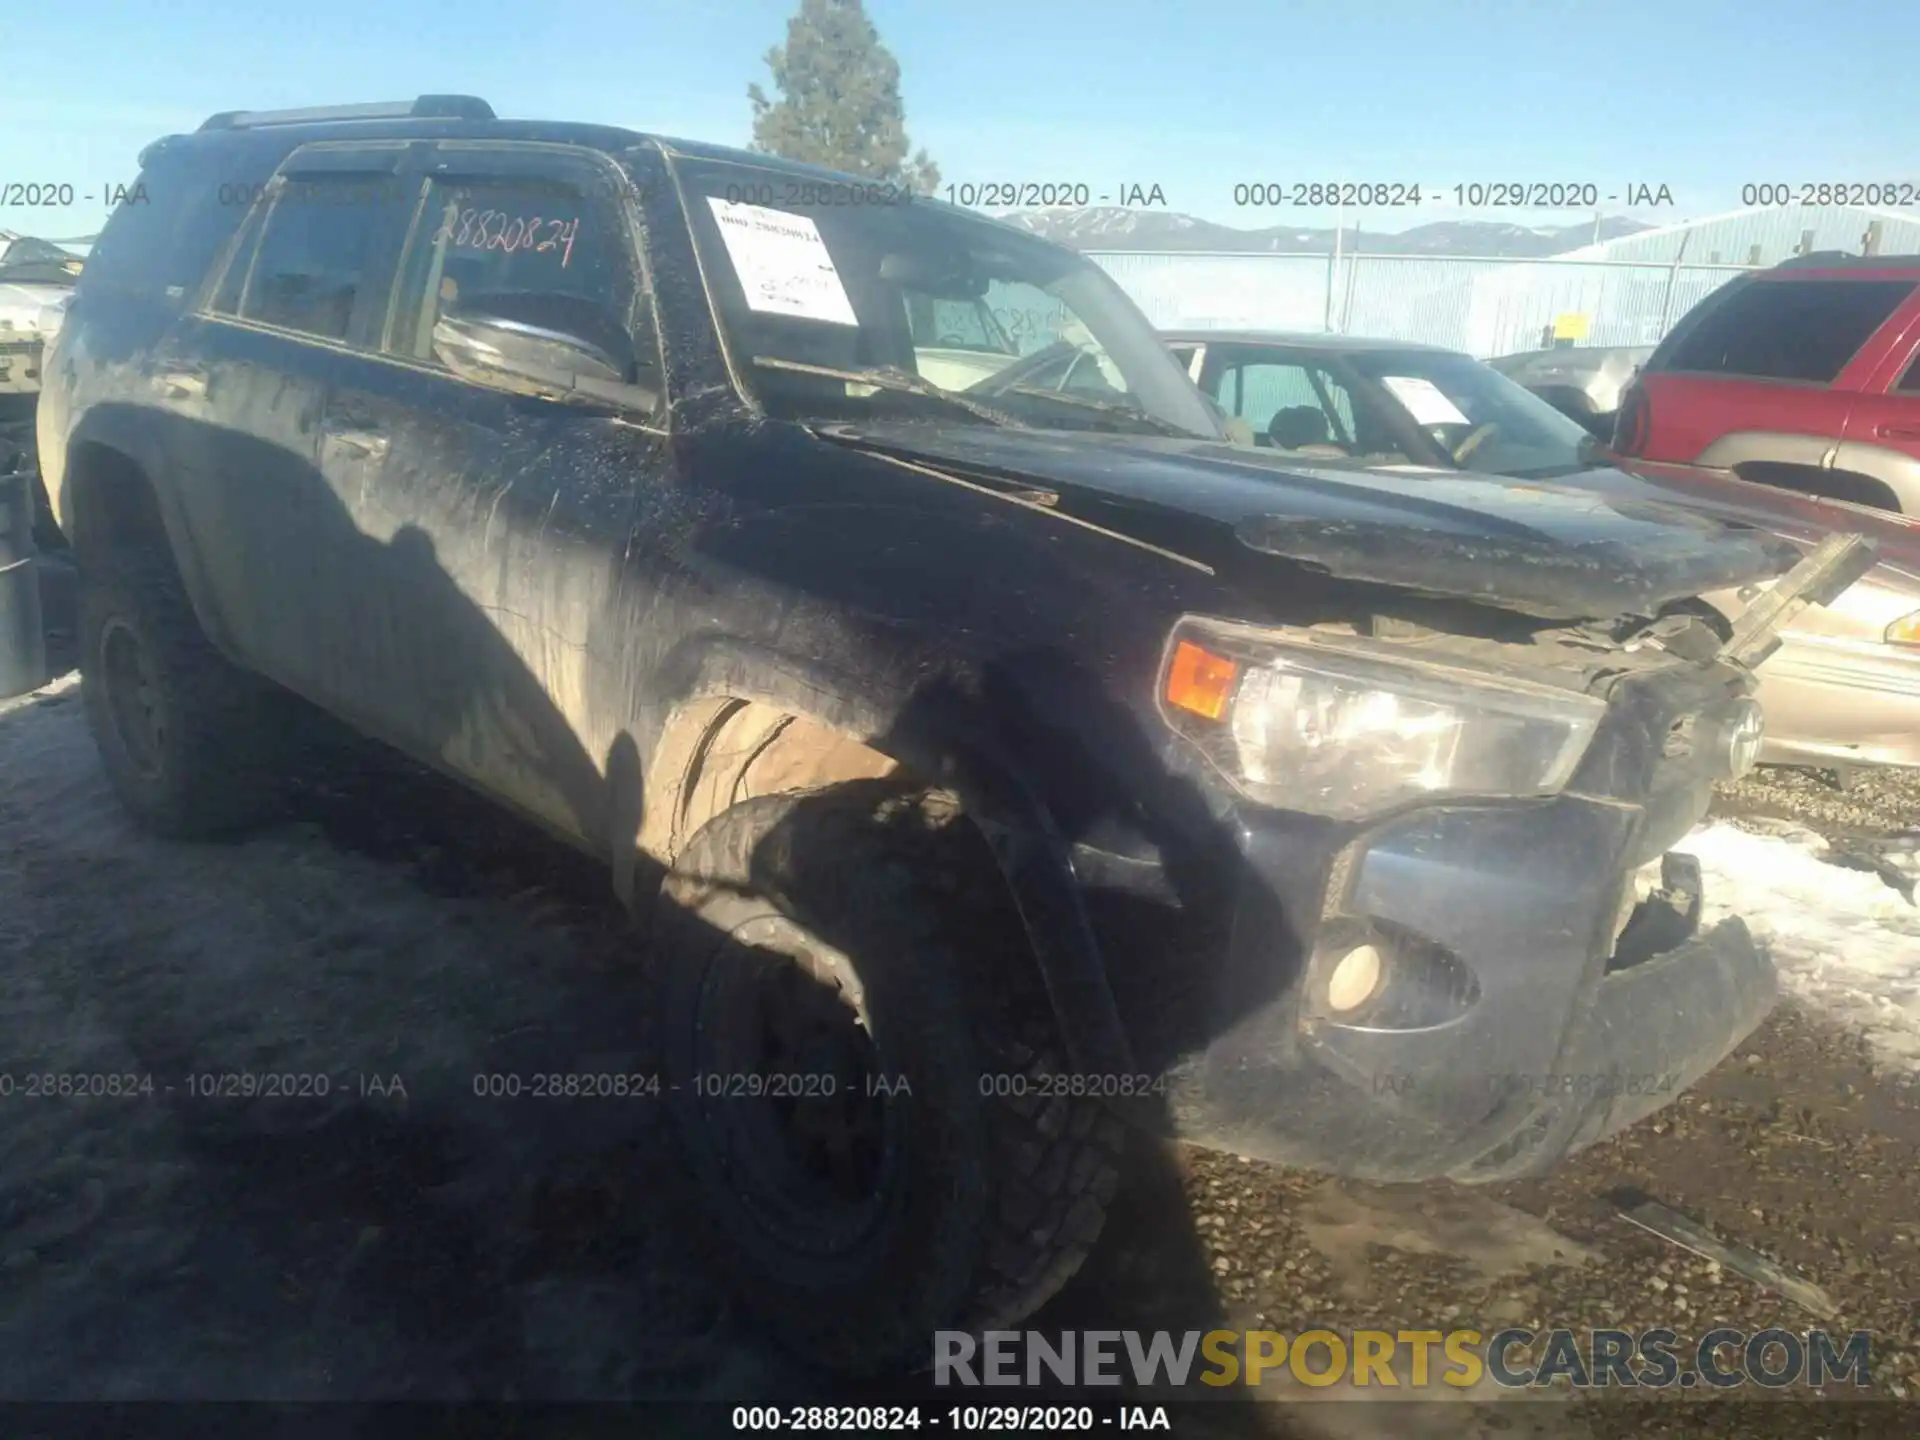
(1116, 228)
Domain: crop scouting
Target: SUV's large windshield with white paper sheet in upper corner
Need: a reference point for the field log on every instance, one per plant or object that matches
(923, 299)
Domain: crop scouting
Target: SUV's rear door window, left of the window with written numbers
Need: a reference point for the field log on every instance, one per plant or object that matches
(316, 252)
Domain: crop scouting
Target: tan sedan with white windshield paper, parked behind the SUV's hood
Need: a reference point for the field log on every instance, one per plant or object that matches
(1844, 688)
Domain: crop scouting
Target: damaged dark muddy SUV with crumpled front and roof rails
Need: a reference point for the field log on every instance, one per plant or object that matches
(997, 754)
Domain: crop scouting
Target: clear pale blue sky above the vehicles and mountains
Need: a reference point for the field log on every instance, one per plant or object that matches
(1694, 95)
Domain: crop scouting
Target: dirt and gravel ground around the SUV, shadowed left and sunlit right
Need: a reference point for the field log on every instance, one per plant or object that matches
(404, 1237)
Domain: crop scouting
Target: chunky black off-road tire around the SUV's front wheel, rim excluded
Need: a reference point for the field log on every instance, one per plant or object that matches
(1001, 1197)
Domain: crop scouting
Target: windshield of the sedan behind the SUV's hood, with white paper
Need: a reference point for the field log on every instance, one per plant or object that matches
(1479, 418)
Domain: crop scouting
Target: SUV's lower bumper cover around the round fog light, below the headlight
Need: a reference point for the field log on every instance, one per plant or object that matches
(1512, 1020)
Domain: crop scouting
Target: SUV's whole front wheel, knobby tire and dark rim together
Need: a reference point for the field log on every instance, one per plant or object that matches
(867, 1074)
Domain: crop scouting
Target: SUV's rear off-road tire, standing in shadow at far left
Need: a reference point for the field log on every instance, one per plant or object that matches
(220, 756)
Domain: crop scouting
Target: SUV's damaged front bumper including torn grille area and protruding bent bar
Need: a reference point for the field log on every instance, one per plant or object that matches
(1474, 990)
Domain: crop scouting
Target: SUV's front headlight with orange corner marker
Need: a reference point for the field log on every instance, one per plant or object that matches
(1333, 729)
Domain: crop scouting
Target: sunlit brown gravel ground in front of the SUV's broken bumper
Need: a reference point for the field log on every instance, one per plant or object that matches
(1796, 1147)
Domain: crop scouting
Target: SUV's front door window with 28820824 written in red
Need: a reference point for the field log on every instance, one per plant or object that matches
(531, 251)
